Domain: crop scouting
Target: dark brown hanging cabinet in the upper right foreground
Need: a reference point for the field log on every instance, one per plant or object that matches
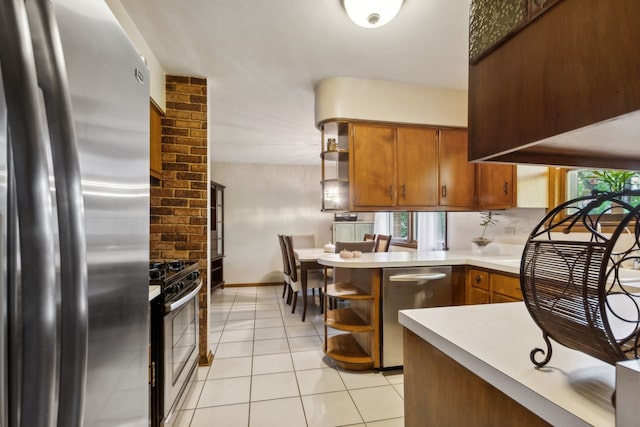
(560, 87)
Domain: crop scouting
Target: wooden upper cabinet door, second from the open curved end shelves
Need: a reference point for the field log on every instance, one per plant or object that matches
(417, 156)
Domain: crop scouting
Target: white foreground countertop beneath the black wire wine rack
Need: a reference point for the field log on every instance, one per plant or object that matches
(494, 341)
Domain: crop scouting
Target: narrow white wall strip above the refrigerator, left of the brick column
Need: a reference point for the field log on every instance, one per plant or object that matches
(157, 73)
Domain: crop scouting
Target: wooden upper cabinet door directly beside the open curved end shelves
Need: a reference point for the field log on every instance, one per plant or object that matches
(372, 166)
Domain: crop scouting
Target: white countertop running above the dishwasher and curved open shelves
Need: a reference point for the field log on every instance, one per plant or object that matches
(507, 264)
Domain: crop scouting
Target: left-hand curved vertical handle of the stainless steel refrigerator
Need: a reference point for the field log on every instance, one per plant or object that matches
(37, 380)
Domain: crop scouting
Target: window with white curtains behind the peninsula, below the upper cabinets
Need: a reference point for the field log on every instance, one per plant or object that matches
(407, 228)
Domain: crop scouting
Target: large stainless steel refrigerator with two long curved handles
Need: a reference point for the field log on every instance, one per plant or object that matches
(74, 217)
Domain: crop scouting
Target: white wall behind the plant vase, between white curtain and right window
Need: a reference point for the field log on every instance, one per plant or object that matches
(463, 226)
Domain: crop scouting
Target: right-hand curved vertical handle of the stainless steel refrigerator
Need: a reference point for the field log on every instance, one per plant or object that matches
(52, 79)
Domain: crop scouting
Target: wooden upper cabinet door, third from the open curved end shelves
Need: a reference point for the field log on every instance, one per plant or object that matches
(457, 176)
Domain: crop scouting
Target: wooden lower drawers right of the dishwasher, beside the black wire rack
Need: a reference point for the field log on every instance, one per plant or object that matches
(487, 286)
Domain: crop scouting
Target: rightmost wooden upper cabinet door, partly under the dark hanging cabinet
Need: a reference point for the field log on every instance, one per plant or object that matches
(496, 186)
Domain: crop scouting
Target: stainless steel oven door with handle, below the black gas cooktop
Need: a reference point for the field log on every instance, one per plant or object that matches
(181, 350)
